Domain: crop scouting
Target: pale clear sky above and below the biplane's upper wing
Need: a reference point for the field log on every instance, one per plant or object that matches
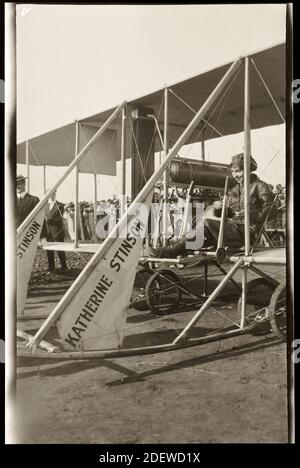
(76, 60)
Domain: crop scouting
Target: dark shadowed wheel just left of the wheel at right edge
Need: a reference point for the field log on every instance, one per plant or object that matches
(259, 293)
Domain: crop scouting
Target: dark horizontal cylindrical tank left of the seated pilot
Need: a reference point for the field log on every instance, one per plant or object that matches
(202, 173)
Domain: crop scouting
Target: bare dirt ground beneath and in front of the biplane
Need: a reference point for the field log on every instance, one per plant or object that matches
(233, 390)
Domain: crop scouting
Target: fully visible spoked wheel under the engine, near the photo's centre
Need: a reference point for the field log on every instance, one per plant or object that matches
(162, 292)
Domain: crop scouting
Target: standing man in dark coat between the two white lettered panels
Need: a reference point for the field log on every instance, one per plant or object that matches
(53, 230)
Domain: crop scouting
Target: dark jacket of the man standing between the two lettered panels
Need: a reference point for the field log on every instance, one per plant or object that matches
(53, 228)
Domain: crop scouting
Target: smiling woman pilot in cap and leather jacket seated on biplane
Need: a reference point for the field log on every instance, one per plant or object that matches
(260, 200)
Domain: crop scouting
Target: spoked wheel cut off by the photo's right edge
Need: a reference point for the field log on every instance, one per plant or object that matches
(277, 311)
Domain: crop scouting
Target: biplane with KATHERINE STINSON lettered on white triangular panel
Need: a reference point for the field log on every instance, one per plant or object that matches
(91, 317)
